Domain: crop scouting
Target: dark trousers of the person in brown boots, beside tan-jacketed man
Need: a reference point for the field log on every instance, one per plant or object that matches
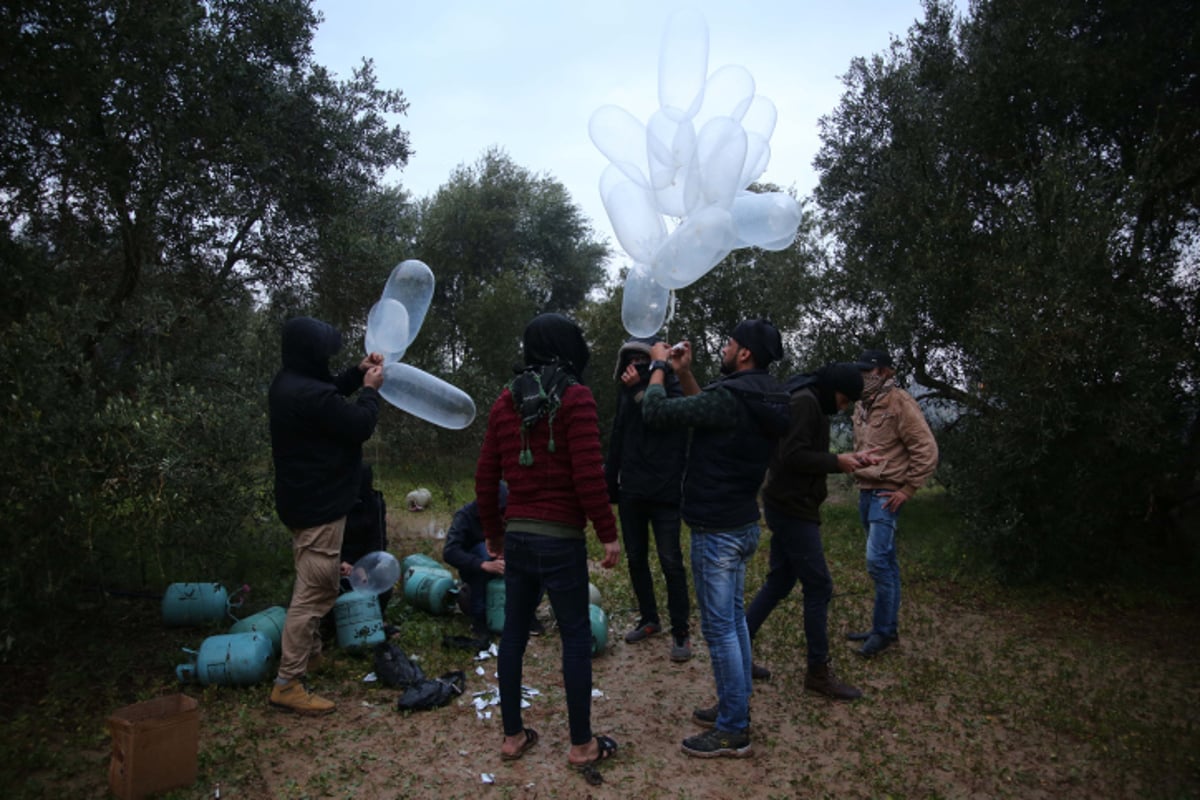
(796, 555)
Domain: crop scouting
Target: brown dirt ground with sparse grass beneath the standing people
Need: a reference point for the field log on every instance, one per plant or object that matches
(964, 708)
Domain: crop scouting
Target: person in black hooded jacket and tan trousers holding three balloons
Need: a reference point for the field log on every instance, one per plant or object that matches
(317, 448)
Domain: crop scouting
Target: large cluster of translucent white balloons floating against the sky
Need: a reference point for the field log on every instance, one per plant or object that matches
(691, 163)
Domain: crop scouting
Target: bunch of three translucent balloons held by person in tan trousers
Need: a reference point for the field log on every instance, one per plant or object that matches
(393, 324)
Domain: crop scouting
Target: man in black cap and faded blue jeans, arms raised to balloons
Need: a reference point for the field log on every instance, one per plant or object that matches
(736, 423)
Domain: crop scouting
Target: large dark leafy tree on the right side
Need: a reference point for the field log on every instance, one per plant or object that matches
(1016, 210)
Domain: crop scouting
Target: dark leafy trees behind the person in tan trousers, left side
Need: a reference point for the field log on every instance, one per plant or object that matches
(167, 167)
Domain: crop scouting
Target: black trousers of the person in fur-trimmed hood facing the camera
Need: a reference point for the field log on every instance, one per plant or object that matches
(637, 520)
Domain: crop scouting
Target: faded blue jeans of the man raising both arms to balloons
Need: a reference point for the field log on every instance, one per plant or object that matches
(719, 572)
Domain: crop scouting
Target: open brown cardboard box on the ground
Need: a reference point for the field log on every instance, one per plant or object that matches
(155, 747)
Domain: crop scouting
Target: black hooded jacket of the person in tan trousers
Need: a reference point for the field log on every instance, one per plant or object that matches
(316, 436)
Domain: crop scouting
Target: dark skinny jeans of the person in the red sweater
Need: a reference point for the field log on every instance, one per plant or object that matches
(533, 563)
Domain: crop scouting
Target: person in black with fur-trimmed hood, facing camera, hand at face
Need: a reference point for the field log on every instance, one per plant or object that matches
(645, 474)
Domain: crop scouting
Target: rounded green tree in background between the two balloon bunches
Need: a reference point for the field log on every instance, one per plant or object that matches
(508, 246)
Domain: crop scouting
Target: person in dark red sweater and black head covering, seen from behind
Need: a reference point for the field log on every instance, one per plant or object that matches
(543, 438)
